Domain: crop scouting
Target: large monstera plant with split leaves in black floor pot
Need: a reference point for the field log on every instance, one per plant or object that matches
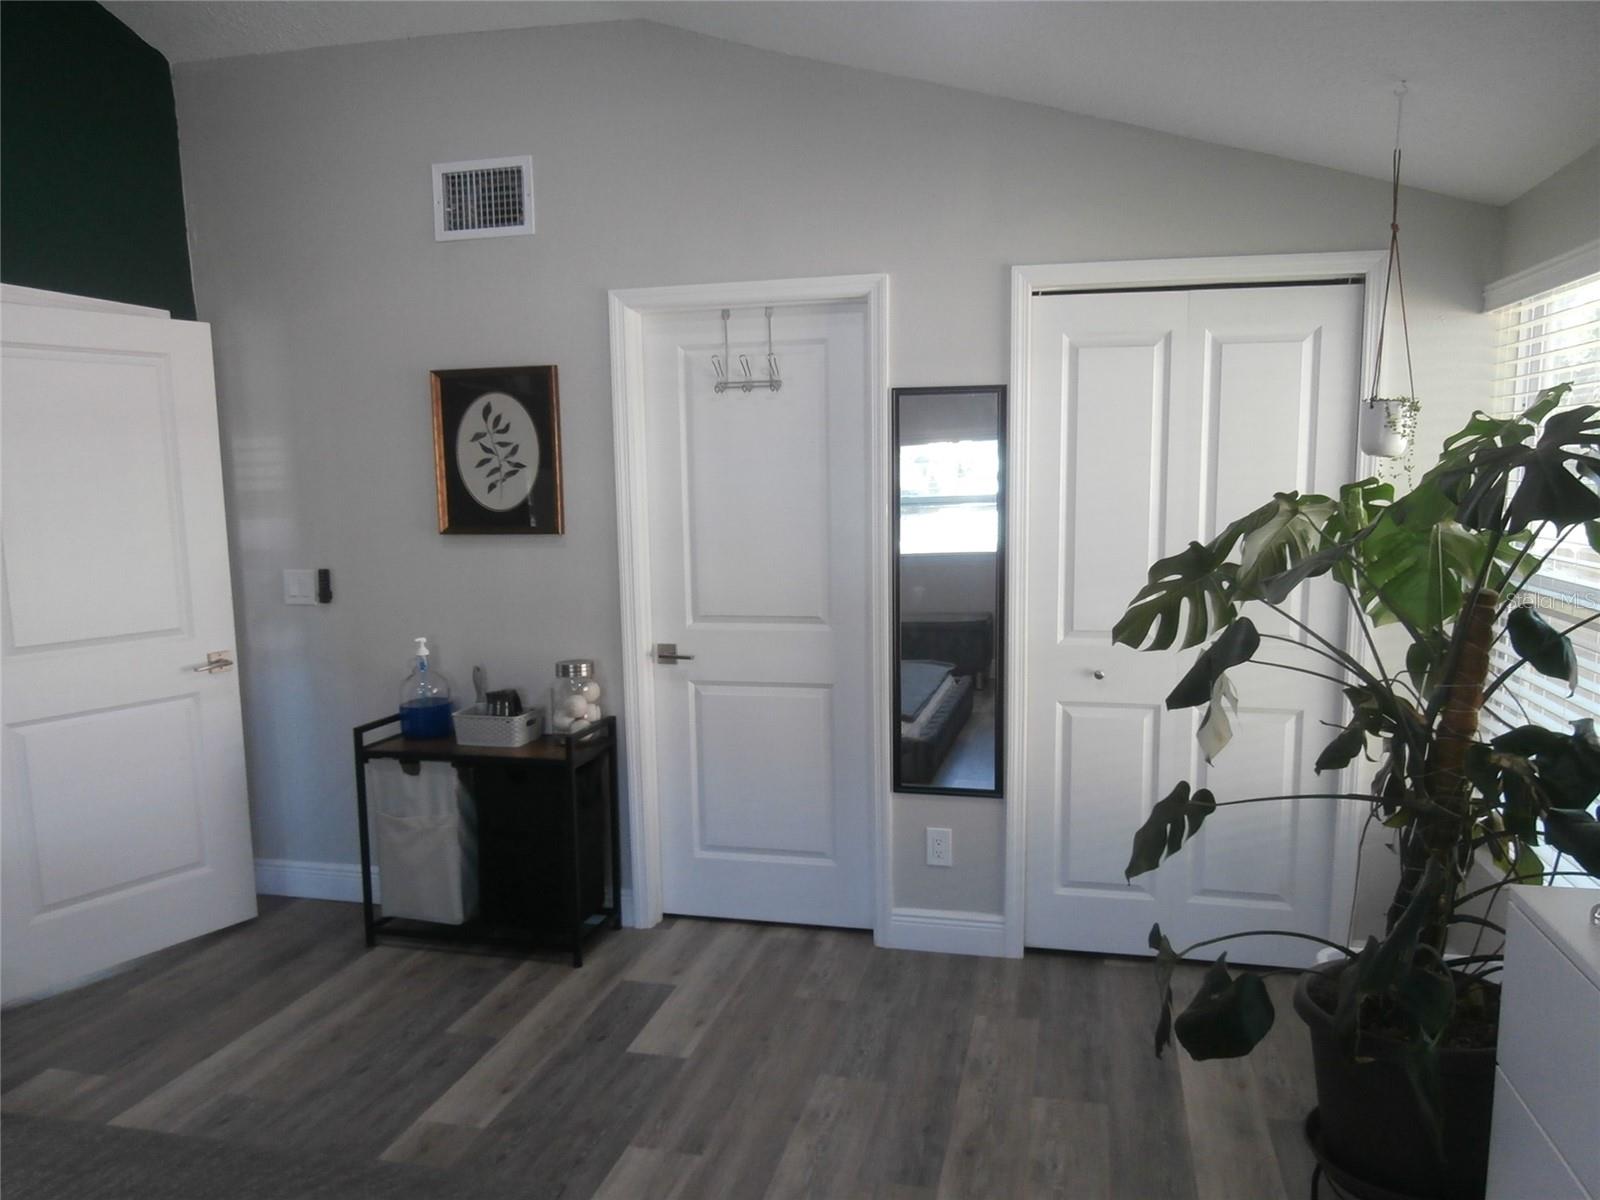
(1455, 783)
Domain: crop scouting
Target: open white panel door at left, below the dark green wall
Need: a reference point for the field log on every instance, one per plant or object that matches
(124, 814)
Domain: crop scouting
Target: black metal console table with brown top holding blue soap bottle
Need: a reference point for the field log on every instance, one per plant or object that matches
(550, 847)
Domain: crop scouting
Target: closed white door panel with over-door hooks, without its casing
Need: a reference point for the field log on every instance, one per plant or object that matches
(759, 572)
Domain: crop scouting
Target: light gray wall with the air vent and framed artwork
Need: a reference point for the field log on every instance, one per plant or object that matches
(660, 158)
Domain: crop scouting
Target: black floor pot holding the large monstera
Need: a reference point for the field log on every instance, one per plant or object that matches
(1372, 1132)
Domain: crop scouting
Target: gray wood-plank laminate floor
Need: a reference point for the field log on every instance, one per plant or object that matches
(695, 1060)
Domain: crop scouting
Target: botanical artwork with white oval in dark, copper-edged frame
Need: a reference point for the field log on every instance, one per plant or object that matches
(498, 450)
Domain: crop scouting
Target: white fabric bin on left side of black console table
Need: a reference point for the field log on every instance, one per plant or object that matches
(428, 842)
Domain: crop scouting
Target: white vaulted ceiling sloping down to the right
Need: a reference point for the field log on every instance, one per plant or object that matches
(1500, 95)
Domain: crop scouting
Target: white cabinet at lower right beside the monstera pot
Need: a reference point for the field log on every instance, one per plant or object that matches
(1546, 1143)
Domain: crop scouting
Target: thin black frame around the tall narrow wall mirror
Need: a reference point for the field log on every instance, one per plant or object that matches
(1004, 503)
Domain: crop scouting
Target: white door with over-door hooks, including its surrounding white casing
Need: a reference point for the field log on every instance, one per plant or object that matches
(753, 527)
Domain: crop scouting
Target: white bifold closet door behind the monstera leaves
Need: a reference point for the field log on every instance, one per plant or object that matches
(1156, 420)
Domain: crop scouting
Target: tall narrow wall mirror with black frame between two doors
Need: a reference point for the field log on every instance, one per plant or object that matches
(950, 590)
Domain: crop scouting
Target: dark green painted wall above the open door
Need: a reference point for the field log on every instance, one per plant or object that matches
(90, 194)
